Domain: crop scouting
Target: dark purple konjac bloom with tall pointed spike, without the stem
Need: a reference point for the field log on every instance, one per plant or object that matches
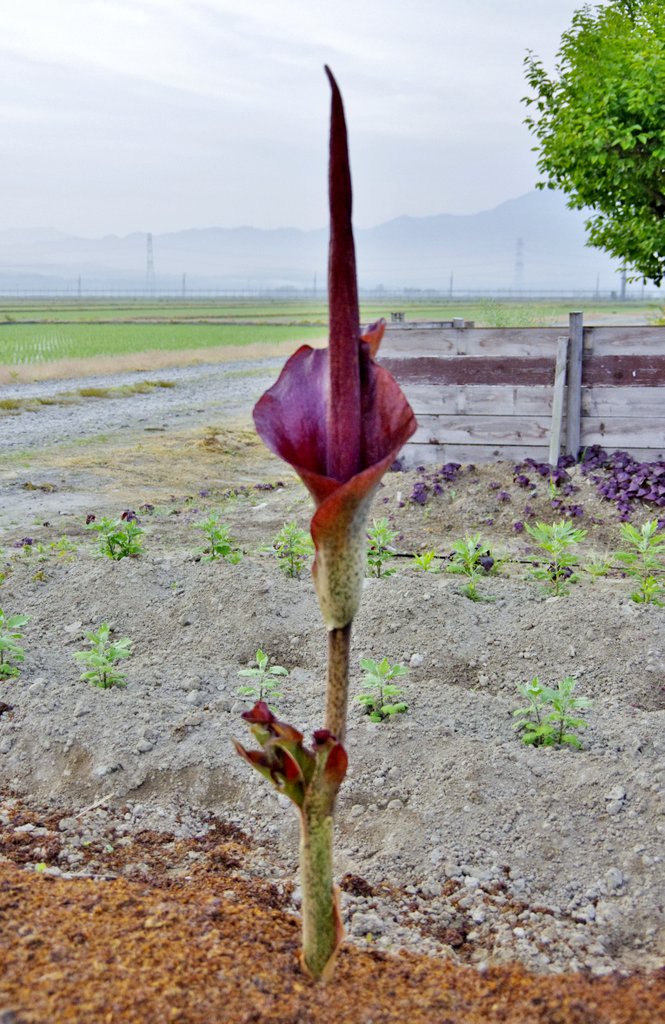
(335, 415)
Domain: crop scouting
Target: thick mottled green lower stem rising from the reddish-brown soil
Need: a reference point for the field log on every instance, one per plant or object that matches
(322, 928)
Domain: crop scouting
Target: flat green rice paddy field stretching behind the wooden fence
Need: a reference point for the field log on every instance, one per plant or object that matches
(34, 332)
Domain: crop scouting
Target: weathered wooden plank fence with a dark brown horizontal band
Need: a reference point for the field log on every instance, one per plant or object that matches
(486, 394)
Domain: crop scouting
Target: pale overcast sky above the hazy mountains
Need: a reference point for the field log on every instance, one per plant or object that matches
(161, 115)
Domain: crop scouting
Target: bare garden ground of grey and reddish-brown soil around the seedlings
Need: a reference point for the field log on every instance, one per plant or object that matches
(149, 877)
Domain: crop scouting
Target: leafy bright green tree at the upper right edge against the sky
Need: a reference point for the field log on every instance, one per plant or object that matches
(600, 125)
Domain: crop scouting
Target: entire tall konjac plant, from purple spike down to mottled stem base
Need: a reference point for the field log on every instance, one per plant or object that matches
(340, 420)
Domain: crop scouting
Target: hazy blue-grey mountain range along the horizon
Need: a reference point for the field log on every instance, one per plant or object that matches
(531, 243)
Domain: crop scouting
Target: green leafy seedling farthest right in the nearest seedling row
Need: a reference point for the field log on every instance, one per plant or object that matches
(551, 715)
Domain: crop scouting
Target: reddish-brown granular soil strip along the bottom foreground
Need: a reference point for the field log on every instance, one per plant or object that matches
(197, 942)
